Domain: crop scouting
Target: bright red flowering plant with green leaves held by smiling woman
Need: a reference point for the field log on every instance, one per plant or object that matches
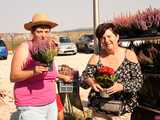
(105, 76)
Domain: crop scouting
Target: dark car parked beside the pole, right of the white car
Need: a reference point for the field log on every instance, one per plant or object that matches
(86, 43)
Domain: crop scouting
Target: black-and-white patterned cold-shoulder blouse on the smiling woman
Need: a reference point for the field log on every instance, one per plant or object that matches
(129, 74)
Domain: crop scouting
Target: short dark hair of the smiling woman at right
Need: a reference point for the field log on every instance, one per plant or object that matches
(103, 27)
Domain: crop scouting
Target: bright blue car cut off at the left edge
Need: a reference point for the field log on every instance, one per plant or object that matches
(3, 50)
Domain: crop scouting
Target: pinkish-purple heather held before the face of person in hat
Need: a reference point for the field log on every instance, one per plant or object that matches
(44, 51)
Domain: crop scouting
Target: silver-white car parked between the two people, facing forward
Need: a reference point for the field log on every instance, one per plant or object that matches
(66, 46)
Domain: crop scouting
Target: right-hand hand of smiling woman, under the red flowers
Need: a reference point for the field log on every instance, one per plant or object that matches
(115, 88)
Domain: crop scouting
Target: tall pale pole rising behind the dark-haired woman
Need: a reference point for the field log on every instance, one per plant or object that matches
(96, 21)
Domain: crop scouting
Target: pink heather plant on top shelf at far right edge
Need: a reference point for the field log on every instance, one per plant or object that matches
(147, 22)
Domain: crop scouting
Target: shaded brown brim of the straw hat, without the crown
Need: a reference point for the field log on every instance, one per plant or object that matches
(28, 26)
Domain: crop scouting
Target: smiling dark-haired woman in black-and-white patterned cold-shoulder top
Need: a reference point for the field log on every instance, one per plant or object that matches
(127, 69)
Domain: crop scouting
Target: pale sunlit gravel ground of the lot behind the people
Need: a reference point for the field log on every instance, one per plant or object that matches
(7, 107)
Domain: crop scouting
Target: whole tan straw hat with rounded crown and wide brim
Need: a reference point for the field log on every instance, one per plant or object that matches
(39, 19)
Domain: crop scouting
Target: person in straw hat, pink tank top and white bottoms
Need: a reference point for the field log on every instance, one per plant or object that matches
(34, 89)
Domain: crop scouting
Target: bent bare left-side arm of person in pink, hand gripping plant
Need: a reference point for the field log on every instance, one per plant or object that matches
(17, 73)
